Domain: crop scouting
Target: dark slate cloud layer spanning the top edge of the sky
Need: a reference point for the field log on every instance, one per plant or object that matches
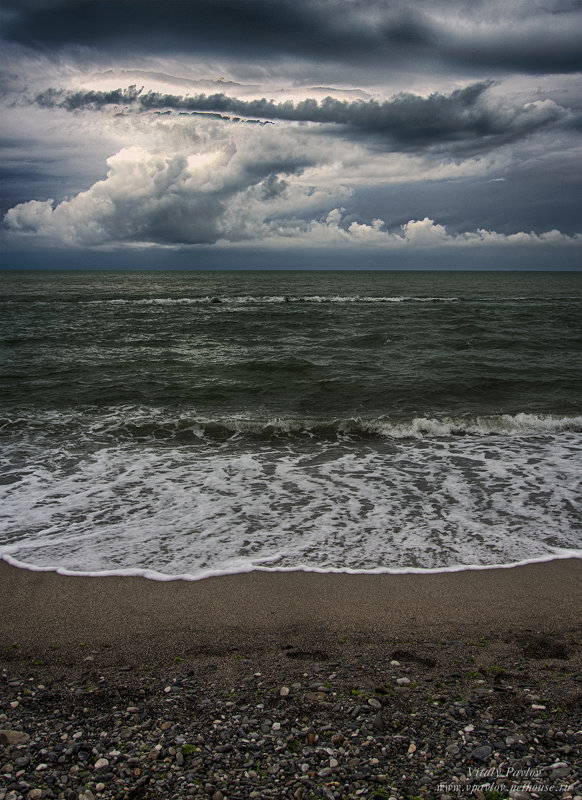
(528, 38)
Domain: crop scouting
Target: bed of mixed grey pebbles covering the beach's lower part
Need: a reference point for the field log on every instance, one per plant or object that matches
(215, 738)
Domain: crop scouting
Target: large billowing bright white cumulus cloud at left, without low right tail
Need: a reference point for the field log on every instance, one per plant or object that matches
(166, 197)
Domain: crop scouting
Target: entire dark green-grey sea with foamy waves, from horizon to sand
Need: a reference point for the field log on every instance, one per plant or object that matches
(192, 423)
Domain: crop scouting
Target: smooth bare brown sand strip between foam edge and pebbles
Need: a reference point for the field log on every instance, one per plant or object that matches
(151, 620)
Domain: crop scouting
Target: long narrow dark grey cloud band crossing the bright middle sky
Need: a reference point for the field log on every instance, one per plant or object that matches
(461, 119)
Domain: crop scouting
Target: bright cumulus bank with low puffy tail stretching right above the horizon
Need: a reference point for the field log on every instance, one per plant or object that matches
(177, 199)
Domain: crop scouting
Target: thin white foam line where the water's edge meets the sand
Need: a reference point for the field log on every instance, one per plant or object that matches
(152, 574)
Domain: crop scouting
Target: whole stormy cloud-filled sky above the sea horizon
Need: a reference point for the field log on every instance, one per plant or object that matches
(291, 134)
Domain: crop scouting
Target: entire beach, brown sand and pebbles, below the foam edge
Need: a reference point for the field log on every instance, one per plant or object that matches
(293, 685)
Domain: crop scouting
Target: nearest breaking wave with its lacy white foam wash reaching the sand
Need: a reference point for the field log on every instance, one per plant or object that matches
(107, 495)
